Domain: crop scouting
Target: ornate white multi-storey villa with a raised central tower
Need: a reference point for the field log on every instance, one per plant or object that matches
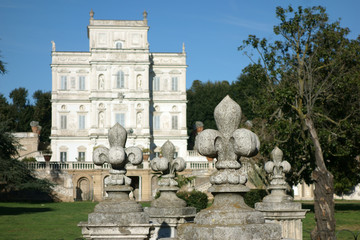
(117, 80)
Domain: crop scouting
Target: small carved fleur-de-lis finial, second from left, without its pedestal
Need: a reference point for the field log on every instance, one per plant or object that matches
(168, 165)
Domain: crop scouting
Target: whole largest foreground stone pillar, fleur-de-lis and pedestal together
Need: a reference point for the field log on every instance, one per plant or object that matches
(229, 217)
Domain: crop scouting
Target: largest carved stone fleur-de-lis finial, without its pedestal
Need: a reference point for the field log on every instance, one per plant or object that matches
(228, 145)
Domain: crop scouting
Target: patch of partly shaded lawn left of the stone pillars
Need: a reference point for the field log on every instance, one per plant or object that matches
(45, 221)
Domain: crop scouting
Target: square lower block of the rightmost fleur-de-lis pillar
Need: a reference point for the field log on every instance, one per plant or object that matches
(287, 214)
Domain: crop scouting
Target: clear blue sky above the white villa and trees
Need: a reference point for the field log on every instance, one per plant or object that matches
(211, 31)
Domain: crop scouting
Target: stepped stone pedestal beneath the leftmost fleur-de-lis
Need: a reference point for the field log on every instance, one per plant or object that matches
(117, 217)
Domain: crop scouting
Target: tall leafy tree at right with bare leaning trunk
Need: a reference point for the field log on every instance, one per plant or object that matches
(308, 70)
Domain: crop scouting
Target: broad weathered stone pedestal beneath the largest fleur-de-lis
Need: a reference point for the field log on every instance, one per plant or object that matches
(229, 218)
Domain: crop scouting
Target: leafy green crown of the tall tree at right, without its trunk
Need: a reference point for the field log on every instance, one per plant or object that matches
(307, 75)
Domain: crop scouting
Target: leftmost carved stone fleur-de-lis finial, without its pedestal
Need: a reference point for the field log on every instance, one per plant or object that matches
(117, 156)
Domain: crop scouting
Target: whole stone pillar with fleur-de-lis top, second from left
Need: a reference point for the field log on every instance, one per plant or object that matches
(168, 211)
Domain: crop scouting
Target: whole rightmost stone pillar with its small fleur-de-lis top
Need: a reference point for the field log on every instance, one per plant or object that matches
(279, 207)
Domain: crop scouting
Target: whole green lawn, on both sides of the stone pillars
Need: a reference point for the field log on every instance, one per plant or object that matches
(49, 221)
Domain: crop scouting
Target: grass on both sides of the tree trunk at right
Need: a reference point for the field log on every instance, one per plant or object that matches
(347, 215)
